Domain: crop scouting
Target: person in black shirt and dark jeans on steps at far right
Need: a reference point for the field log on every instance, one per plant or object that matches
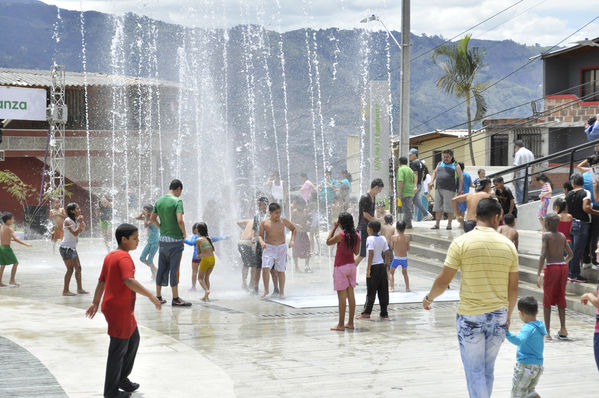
(578, 201)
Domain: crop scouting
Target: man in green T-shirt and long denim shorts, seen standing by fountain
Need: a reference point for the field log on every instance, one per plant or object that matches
(169, 210)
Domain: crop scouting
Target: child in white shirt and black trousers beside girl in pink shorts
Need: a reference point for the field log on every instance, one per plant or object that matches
(376, 273)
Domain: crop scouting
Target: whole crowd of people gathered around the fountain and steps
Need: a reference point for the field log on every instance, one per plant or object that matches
(488, 294)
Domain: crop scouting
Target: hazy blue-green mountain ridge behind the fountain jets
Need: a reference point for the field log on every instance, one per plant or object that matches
(345, 60)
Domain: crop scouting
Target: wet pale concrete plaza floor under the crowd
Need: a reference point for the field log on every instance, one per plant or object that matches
(239, 345)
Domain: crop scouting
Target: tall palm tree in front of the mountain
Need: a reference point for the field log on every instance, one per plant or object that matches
(460, 67)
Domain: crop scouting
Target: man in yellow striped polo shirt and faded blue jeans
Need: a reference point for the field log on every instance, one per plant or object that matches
(488, 262)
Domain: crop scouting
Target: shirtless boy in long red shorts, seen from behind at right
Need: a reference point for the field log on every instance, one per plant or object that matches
(555, 276)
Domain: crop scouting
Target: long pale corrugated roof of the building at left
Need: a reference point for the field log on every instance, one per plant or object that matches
(42, 78)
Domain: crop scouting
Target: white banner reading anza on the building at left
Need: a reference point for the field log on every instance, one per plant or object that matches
(19, 103)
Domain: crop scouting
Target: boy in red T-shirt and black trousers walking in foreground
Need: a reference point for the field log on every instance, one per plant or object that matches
(118, 285)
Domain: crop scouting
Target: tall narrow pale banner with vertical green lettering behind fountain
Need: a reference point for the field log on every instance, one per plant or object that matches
(379, 134)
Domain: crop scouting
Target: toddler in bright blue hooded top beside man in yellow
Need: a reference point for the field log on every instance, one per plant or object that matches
(530, 342)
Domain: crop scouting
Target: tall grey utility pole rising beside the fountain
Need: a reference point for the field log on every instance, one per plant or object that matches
(404, 129)
